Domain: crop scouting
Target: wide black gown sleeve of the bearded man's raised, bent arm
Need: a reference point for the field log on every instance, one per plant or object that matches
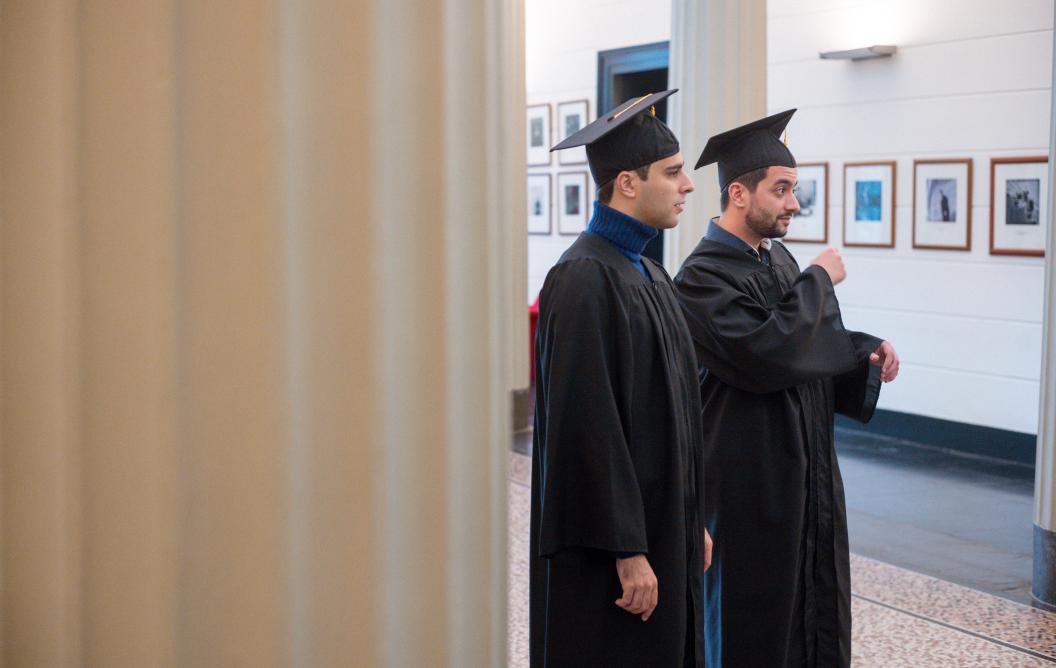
(762, 350)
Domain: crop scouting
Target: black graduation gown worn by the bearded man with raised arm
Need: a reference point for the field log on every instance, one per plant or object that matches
(777, 364)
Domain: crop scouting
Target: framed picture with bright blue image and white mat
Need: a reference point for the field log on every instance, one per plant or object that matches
(870, 204)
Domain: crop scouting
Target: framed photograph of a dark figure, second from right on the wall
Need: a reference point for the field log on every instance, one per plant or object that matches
(942, 204)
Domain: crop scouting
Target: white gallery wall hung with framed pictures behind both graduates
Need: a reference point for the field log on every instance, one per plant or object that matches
(972, 80)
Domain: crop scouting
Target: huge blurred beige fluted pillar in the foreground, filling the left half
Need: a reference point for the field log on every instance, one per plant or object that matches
(261, 310)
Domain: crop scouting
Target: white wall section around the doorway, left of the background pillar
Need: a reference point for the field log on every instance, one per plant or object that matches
(562, 44)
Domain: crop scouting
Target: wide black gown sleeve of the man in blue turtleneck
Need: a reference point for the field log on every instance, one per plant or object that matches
(591, 498)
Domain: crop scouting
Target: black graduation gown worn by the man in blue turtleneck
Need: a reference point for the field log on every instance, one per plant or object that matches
(616, 466)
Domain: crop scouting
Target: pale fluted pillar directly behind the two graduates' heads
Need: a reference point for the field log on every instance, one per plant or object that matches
(719, 61)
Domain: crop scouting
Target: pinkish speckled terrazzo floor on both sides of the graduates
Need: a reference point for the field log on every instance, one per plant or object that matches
(902, 619)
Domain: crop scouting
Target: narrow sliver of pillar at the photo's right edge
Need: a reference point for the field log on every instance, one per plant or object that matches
(1044, 588)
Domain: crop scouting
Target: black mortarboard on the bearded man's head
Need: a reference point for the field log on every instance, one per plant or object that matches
(748, 148)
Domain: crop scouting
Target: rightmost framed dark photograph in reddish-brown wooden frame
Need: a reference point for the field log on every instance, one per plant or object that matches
(1020, 205)
